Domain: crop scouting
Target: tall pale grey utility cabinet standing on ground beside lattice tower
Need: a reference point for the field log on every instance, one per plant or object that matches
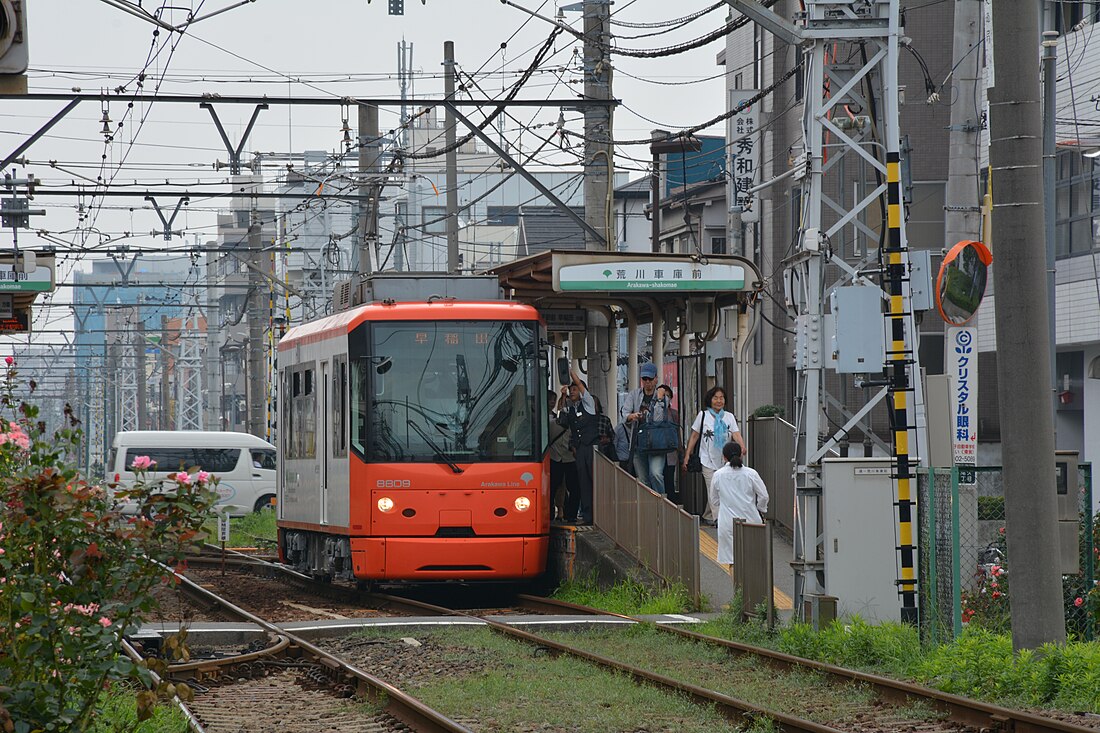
(861, 530)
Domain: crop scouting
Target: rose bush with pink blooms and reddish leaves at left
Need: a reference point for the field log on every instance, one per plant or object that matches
(75, 575)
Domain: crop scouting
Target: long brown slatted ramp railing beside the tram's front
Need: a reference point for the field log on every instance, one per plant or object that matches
(657, 533)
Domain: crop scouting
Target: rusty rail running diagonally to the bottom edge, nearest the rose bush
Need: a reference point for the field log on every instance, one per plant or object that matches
(400, 704)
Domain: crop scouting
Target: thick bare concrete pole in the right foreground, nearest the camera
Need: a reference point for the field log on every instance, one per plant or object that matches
(1024, 348)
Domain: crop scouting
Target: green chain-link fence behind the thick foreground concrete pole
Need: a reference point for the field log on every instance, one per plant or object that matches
(964, 563)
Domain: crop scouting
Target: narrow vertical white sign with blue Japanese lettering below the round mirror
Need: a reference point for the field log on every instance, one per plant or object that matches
(963, 368)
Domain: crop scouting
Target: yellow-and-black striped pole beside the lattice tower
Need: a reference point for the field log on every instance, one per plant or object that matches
(899, 358)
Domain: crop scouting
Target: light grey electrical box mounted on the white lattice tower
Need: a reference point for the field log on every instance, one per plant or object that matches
(857, 340)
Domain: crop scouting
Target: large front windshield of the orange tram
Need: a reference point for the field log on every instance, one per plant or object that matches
(453, 392)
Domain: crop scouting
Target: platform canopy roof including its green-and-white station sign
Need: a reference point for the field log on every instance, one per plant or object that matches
(558, 280)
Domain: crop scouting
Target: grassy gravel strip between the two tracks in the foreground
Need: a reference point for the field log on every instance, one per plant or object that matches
(509, 686)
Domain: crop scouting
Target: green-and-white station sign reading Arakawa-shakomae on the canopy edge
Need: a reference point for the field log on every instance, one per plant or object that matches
(650, 277)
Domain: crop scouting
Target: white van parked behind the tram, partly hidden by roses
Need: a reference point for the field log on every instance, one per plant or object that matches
(245, 465)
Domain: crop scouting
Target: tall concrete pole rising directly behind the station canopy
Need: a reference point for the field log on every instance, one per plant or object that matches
(599, 167)
